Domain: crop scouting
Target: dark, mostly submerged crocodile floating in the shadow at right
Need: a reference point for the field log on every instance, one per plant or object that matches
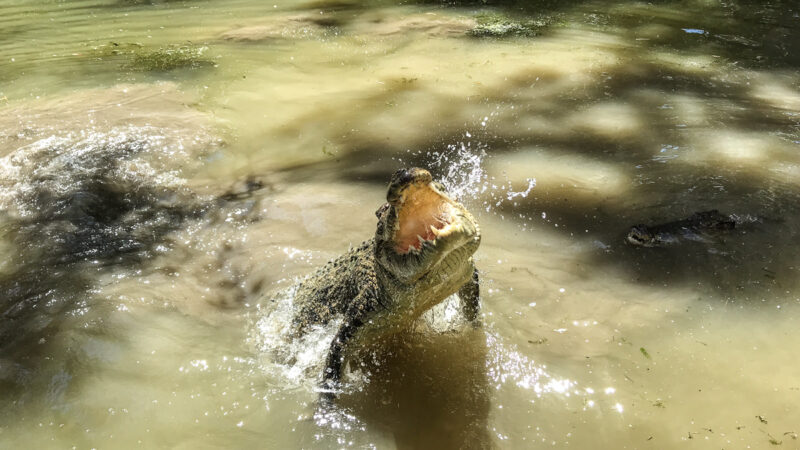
(695, 228)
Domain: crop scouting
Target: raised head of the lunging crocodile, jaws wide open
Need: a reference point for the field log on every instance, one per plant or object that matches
(422, 232)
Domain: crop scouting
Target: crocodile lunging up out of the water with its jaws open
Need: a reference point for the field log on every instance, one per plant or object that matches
(420, 255)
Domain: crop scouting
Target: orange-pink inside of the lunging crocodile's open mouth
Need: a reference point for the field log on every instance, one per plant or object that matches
(424, 214)
